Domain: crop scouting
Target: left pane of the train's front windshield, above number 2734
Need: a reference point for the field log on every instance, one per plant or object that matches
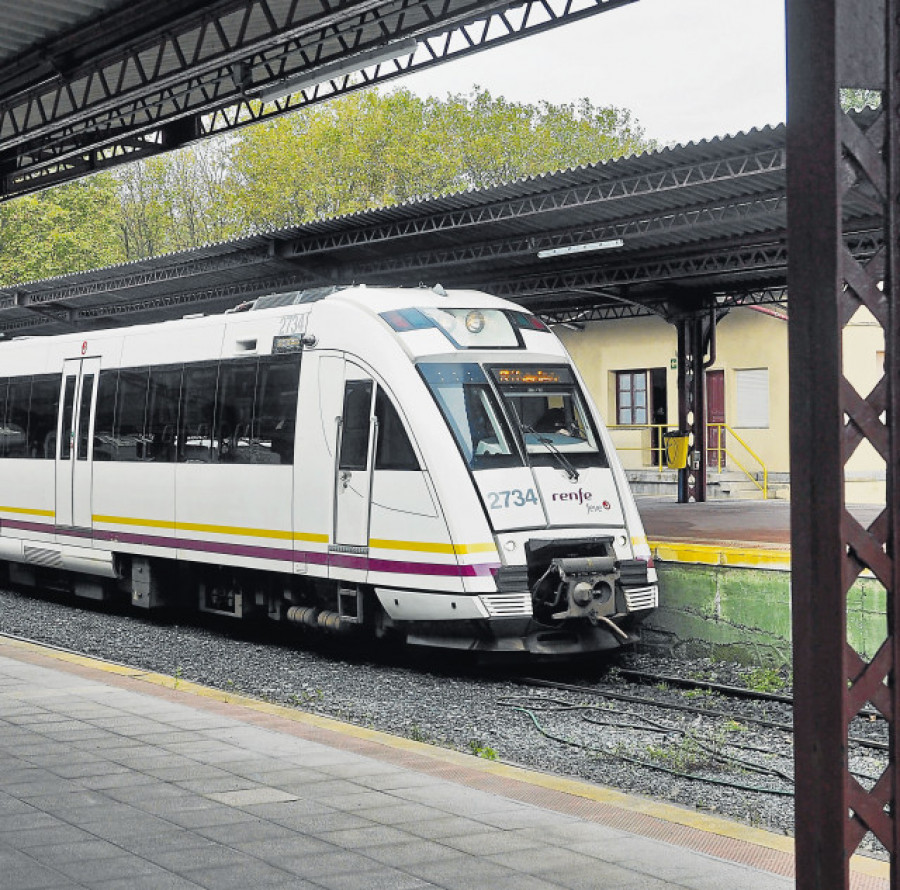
(472, 412)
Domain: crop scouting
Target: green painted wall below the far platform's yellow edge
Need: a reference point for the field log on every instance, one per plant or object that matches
(744, 615)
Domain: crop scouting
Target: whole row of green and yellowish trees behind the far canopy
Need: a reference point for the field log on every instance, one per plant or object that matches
(367, 149)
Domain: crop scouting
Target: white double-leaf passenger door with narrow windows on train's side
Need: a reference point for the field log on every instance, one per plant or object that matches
(74, 452)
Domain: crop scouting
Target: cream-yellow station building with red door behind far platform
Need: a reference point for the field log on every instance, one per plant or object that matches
(630, 366)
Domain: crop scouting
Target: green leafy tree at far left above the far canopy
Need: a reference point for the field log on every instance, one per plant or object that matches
(69, 228)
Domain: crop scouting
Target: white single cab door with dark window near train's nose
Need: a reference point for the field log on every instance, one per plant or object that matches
(353, 464)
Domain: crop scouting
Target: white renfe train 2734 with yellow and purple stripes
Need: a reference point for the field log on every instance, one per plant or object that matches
(405, 461)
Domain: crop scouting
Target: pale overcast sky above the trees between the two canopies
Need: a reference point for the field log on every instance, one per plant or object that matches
(686, 69)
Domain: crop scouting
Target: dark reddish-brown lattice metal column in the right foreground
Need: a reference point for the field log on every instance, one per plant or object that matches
(834, 44)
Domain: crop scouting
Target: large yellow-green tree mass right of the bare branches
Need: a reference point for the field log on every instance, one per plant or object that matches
(370, 149)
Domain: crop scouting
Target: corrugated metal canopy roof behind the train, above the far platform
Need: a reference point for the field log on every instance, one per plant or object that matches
(708, 216)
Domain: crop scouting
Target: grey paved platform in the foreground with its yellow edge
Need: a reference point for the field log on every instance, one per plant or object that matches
(117, 778)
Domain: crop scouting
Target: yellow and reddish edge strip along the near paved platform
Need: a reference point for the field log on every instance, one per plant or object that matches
(575, 787)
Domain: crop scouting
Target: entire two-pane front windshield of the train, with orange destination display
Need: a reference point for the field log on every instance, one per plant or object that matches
(511, 415)
